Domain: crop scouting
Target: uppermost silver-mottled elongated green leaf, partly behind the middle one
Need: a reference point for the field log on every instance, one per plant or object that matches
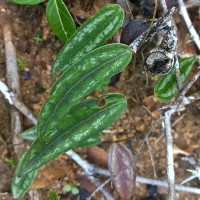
(92, 34)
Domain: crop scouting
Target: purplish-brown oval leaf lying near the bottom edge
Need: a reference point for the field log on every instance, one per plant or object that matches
(122, 167)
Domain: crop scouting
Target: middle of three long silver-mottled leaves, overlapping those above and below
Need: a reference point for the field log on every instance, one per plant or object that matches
(78, 81)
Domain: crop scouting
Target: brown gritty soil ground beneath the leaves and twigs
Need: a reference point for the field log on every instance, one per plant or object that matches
(28, 23)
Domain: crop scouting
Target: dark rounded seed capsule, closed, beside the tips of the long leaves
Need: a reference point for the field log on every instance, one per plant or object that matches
(133, 30)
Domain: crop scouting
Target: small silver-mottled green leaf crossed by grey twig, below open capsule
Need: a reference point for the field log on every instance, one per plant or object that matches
(166, 87)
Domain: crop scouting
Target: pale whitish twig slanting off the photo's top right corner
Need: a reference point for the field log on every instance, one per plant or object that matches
(193, 33)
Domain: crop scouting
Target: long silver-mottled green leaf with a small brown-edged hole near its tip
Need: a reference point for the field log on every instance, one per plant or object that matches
(83, 121)
